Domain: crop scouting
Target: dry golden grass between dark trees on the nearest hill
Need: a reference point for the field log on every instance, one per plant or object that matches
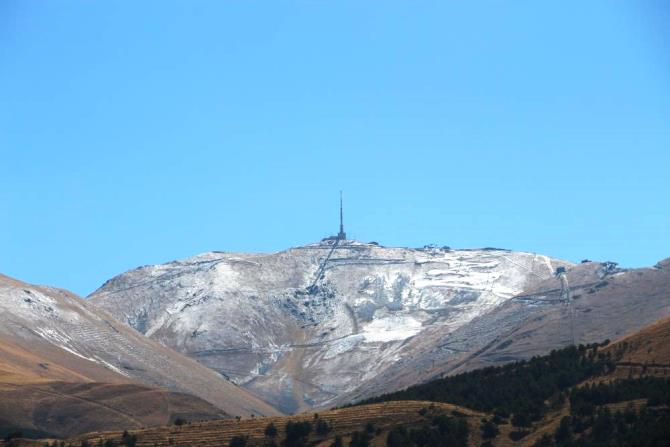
(650, 344)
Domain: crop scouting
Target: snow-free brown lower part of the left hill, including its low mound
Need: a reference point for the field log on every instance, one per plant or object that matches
(40, 397)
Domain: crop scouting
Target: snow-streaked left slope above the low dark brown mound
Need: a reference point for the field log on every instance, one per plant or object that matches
(85, 344)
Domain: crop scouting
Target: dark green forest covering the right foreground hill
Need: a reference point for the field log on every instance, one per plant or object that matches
(567, 398)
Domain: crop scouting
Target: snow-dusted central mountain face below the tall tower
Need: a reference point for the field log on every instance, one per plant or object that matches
(304, 327)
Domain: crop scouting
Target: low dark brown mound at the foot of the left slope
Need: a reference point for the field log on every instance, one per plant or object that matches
(64, 409)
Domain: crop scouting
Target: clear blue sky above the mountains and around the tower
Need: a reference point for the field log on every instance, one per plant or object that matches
(140, 132)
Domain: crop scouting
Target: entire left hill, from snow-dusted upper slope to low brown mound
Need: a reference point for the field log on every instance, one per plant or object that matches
(68, 367)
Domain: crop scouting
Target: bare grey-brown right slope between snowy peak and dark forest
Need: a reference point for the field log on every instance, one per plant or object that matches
(609, 303)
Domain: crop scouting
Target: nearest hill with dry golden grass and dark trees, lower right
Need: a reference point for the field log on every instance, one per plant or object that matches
(575, 396)
